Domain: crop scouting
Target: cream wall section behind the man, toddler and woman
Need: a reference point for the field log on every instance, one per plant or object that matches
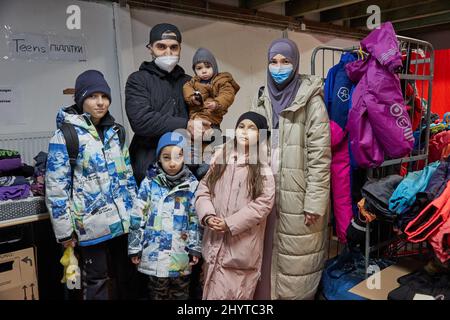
(239, 49)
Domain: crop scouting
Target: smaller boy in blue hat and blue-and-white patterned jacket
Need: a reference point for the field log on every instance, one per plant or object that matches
(165, 235)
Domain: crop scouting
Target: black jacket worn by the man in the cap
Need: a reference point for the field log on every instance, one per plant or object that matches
(154, 105)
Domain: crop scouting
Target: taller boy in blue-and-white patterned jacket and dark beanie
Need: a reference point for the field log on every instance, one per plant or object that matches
(89, 200)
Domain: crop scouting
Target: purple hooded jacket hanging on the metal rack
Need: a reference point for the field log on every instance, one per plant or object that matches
(378, 122)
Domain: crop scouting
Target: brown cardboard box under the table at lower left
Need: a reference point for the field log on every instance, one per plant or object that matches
(18, 280)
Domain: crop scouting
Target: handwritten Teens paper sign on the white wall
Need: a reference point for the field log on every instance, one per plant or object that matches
(31, 46)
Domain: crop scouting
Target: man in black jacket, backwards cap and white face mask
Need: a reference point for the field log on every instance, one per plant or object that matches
(154, 97)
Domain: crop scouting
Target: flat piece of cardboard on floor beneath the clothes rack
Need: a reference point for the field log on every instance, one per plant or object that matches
(378, 285)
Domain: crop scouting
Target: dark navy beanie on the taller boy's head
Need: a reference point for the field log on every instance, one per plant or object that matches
(87, 83)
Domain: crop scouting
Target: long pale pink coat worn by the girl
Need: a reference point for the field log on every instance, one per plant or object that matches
(233, 260)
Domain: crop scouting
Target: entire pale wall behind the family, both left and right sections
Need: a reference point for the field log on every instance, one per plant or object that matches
(239, 49)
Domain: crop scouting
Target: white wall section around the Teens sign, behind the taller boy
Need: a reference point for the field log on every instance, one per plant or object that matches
(42, 83)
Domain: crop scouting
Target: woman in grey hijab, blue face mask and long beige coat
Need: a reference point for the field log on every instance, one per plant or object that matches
(295, 244)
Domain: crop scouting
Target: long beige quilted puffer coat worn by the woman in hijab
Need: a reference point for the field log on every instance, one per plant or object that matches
(302, 185)
